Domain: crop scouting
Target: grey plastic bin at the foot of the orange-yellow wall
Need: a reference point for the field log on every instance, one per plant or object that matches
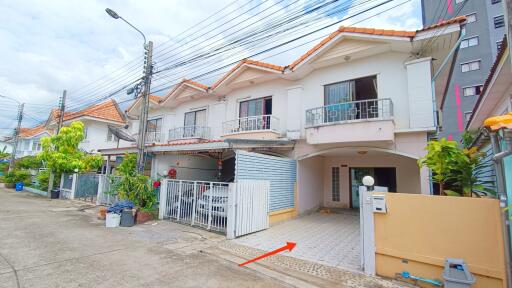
(456, 274)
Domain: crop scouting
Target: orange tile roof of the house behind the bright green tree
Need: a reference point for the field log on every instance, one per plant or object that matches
(107, 110)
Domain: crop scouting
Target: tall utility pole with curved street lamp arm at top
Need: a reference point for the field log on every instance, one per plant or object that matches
(148, 70)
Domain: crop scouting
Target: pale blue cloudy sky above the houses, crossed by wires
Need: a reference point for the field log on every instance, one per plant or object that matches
(49, 46)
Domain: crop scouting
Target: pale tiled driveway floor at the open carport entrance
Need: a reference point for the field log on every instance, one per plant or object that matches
(329, 239)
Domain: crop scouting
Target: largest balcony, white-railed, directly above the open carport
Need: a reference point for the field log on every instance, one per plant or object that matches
(350, 122)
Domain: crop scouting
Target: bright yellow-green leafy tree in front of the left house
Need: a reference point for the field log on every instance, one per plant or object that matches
(61, 154)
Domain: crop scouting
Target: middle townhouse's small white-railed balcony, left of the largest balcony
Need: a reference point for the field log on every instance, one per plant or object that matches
(254, 127)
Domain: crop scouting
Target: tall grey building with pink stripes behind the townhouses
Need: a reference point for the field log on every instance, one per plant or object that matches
(484, 30)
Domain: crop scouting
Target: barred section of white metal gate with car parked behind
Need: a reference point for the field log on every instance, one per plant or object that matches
(197, 203)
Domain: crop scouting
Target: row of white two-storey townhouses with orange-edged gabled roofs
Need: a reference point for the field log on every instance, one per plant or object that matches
(361, 102)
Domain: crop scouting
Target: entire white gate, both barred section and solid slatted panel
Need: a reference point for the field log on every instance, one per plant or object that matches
(232, 208)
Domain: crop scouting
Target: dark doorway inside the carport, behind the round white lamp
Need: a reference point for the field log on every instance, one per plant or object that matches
(384, 177)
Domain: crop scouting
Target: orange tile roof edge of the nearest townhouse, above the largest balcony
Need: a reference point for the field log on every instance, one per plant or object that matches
(371, 31)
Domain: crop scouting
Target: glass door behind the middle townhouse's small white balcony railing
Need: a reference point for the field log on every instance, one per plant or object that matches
(255, 114)
